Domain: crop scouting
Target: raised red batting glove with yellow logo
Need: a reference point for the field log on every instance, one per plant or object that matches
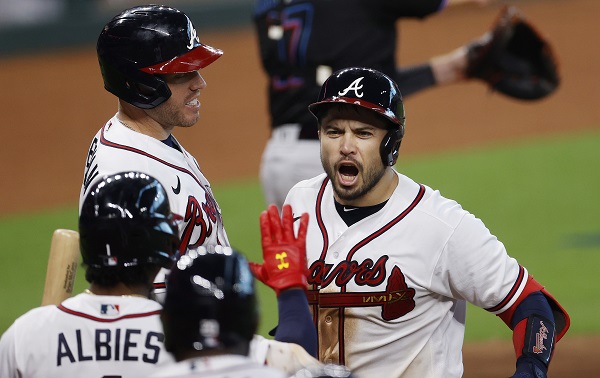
(284, 254)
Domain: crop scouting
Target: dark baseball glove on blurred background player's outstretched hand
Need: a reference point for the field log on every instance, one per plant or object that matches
(514, 59)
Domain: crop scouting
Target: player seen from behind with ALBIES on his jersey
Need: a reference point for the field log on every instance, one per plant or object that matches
(127, 233)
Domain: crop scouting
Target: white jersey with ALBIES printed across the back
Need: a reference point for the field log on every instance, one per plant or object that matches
(86, 336)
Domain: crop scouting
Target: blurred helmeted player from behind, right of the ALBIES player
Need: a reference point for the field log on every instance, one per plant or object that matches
(210, 316)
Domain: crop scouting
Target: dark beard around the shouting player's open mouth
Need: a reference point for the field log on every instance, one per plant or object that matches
(368, 179)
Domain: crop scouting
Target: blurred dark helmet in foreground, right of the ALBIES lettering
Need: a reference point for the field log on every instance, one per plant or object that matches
(210, 302)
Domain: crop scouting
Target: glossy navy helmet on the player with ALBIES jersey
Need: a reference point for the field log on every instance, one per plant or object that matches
(126, 220)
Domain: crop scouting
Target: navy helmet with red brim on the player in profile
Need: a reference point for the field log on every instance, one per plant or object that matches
(141, 43)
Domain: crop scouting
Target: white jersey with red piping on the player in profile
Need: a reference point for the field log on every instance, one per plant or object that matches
(116, 148)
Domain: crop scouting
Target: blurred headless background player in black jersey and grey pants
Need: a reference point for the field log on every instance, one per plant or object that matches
(303, 41)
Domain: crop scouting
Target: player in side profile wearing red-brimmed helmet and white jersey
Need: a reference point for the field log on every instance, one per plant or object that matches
(150, 57)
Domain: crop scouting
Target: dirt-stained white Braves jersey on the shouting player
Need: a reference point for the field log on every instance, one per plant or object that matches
(389, 292)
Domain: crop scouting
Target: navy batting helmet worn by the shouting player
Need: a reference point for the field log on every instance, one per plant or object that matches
(372, 90)
